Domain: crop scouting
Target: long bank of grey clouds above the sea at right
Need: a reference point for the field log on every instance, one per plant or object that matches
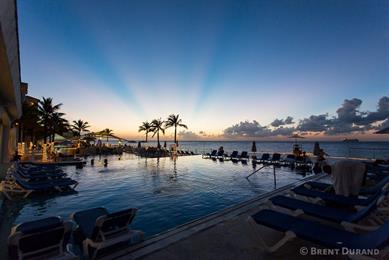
(349, 119)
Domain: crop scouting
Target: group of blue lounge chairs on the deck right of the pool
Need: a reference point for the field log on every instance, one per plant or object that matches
(333, 221)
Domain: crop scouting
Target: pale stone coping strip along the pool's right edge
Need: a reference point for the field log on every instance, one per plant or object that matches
(171, 236)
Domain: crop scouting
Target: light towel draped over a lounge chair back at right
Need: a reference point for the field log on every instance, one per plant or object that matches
(347, 177)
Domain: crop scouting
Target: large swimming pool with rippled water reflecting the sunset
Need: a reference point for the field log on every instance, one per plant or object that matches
(167, 192)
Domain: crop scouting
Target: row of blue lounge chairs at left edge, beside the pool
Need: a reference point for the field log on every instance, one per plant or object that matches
(25, 179)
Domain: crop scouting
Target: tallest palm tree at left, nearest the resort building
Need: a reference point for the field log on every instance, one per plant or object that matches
(46, 110)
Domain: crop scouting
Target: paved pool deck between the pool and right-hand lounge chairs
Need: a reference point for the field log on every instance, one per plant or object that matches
(222, 235)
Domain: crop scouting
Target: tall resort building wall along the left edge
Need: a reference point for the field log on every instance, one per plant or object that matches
(11, 96)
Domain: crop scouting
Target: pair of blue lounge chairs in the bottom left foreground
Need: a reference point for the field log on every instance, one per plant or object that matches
(98, 232)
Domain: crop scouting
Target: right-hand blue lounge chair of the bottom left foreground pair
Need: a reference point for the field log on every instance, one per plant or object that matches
(102, 233)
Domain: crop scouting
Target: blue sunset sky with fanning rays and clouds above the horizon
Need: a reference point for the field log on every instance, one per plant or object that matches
(230, 69)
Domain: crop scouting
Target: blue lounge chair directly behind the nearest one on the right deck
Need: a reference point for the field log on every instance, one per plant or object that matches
(324, 212)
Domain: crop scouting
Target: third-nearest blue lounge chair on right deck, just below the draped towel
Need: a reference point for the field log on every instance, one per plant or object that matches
(333, 198)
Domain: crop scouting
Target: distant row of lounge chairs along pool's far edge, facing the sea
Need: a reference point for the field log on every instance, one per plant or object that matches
(266, 158)
